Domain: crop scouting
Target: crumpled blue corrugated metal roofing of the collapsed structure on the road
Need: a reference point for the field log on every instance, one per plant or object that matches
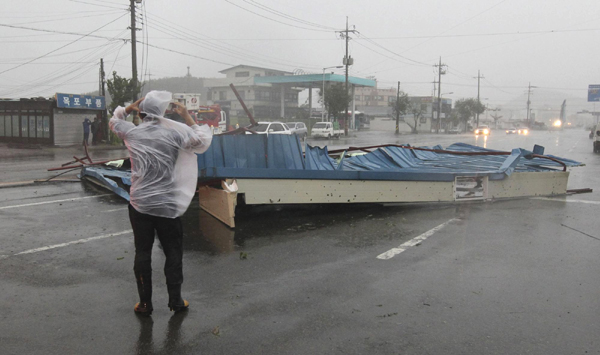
(281, 157)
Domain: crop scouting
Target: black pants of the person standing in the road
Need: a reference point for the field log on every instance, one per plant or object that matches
(170, 235)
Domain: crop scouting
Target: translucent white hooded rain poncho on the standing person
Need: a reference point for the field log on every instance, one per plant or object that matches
(164, 168)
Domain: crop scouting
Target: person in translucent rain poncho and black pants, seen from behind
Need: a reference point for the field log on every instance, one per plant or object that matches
(164, 173)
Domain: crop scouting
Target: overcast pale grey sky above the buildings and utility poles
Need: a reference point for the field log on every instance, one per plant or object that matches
(551, 43)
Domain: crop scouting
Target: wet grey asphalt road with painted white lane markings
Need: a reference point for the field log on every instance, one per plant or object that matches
(508, 277)
